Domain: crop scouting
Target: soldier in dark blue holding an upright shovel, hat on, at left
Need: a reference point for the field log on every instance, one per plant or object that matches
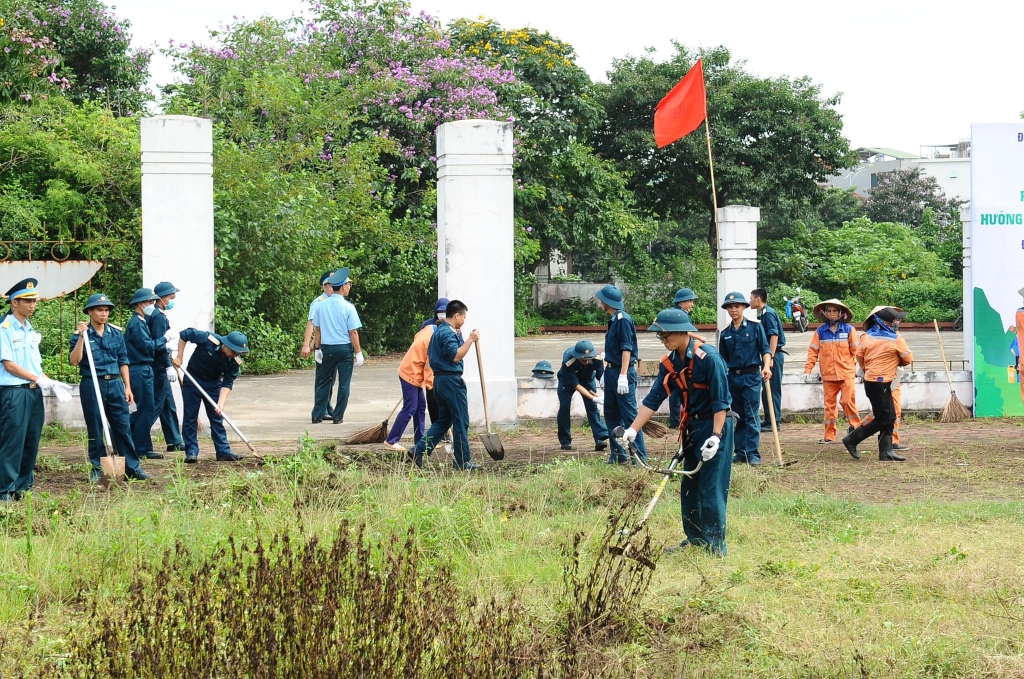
(111, 357)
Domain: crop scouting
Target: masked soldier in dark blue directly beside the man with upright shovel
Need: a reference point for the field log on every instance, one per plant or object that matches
(142, 347)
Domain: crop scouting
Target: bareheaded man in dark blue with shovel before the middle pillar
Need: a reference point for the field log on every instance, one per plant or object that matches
(446, 354)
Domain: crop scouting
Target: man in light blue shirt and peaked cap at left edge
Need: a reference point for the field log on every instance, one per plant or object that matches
(22, 385)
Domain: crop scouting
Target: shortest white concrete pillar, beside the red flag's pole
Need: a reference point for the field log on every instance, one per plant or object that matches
(738, 246)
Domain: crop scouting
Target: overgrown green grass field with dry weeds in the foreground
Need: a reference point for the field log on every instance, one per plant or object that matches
(817, 583)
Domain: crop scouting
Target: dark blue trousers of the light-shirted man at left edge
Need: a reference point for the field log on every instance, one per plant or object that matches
(22, 417)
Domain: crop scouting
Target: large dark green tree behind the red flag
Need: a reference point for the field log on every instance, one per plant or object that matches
(775, 140)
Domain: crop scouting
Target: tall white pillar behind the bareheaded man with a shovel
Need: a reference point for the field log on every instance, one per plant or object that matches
(476, 253)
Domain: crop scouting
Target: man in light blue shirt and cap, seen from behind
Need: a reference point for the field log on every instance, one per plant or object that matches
(337, 338)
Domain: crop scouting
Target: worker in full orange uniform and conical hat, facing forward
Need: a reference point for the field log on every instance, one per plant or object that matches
(835, 349)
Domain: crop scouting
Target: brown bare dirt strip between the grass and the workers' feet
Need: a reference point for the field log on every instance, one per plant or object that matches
(976, 461)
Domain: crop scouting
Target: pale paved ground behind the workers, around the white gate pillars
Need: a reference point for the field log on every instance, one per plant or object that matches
(277, 407)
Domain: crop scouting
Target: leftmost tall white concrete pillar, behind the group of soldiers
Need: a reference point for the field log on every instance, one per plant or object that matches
(178, 215)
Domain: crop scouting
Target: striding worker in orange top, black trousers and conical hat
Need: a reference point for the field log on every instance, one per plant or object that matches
(881, 353)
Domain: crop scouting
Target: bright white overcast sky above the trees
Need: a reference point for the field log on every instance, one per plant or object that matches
(912, 73)
